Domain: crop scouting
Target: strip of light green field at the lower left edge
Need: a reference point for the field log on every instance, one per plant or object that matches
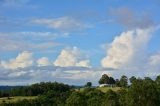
(16, 98)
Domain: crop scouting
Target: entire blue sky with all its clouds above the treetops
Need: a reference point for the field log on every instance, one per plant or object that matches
(76, 41)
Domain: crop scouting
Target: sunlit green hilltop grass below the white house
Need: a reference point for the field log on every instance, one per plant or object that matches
(103, 89)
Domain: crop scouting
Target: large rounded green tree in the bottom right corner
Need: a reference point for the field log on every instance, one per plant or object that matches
(143, 93)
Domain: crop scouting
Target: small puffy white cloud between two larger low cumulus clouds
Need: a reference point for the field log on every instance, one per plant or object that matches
(44, 61)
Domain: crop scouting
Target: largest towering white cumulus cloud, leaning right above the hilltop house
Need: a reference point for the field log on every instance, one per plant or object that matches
(128, 48)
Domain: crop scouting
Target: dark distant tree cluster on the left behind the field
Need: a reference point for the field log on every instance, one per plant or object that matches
(35, 89)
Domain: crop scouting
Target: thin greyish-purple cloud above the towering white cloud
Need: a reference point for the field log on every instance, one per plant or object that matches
(130, 19)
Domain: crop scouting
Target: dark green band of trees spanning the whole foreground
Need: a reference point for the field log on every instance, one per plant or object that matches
(140, 92)
